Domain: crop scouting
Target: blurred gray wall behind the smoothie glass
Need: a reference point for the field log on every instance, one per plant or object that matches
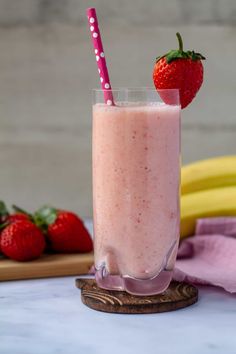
(47, 70)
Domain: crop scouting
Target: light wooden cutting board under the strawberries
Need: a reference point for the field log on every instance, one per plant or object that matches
(48, 265)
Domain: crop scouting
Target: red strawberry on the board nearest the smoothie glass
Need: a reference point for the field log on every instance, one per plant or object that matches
(65, 231)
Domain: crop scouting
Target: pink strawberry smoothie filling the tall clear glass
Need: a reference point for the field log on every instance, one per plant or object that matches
(136, 159)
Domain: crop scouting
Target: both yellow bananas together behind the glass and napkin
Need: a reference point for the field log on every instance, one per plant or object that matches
(208, 188)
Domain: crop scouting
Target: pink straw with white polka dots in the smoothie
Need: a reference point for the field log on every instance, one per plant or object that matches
(100, 56)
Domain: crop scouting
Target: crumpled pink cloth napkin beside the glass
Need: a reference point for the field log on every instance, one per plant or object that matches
(209, 257)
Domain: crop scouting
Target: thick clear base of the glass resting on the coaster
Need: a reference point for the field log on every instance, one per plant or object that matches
(141, 287)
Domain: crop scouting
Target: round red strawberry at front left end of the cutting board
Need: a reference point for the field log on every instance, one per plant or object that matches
(22, 241)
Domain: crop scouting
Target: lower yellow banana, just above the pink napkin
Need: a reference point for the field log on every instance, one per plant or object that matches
(211, 202)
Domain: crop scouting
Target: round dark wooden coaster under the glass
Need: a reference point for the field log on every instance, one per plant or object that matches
(177, 296)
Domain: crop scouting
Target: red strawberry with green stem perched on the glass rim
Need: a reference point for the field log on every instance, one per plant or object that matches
(179, 70)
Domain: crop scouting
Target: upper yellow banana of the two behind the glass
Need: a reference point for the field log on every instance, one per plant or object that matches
(208, 174)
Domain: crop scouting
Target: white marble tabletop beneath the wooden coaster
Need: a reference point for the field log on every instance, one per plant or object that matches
(47, 317)
